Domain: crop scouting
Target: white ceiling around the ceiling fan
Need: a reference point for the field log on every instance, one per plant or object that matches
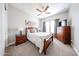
(30, 8)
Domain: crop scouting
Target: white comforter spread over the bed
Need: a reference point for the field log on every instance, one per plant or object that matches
(38, 39)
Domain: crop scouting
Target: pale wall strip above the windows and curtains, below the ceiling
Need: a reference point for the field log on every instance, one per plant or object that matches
(61, 16)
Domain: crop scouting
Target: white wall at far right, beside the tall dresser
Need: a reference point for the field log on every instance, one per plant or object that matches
(74, 17)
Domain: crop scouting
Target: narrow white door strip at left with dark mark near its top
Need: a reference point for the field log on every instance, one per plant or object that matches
(5, 24)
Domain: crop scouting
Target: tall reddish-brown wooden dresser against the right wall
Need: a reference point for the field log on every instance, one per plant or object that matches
(64, 34)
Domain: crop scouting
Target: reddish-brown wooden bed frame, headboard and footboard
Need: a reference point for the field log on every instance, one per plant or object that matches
(46, 42)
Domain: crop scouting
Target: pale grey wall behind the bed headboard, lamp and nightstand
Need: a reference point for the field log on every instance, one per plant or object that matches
(16, 20)
